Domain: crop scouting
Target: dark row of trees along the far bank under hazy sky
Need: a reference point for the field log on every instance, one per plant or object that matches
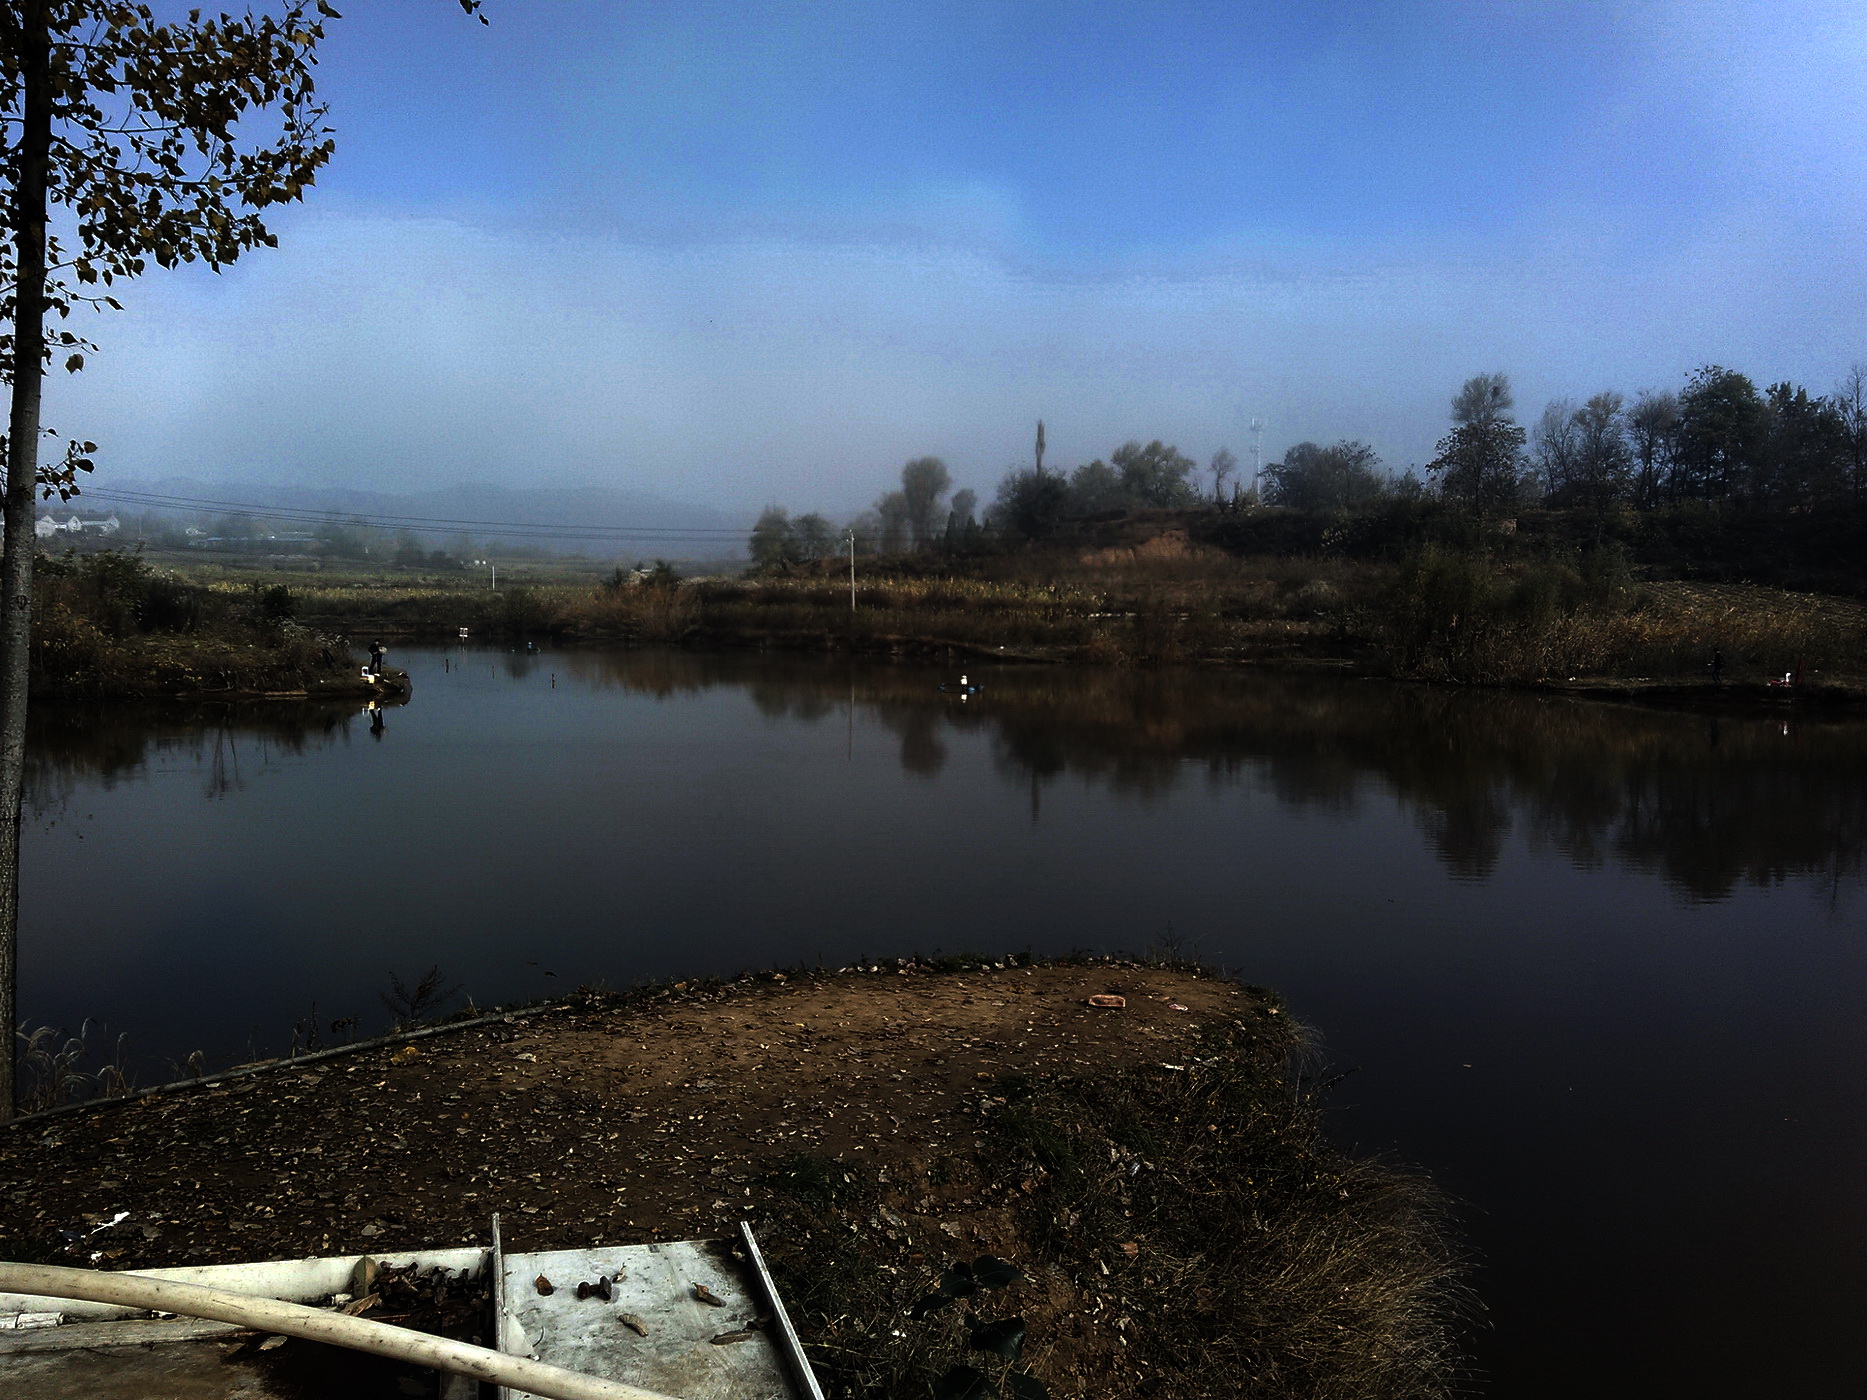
(1719, 453)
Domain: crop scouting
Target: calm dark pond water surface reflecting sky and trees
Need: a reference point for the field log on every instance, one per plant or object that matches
(1599, 970)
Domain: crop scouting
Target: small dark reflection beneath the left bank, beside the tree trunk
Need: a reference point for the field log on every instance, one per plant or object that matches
(107, 746)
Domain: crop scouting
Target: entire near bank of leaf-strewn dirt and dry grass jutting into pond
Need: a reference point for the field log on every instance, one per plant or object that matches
(1142, 1194)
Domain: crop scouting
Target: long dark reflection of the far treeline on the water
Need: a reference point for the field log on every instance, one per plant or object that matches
(1707, 804)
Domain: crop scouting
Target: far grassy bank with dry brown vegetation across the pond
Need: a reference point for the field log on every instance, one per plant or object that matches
(1543, 619)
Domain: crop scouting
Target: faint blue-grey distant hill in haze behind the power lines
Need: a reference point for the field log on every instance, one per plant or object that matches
(473, 509)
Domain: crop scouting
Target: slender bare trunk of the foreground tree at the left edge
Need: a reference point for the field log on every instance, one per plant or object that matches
(21, 481)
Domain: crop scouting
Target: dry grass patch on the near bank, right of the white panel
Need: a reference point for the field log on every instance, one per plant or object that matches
(1185, 1233)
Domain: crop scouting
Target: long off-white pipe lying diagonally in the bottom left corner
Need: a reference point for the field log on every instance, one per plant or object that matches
(316, 1326)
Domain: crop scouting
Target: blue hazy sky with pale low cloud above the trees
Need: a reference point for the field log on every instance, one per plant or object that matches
(766, 253)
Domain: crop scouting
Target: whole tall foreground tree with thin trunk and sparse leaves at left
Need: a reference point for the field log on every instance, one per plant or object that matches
(147, 139)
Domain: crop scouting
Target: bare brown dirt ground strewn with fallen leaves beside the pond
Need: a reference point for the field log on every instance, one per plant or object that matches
(608, 1125)
